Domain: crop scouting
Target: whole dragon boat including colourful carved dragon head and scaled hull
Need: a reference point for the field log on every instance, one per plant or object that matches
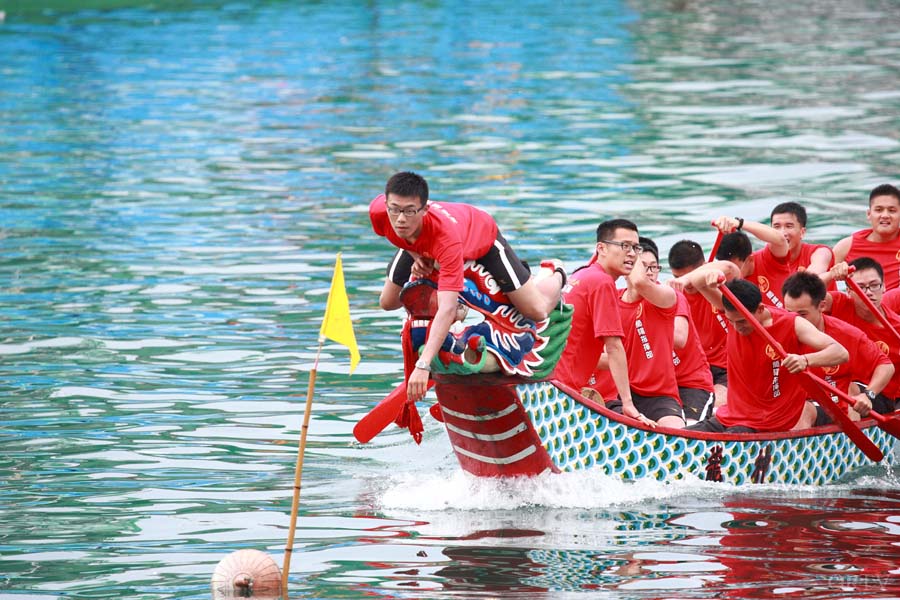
(506, 417)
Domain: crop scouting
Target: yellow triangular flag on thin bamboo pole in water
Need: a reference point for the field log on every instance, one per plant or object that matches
(336, 326)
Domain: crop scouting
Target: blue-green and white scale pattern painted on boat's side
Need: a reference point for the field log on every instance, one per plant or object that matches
(577, 438)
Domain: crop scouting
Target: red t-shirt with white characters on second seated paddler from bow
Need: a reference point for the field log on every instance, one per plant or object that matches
(649, 341)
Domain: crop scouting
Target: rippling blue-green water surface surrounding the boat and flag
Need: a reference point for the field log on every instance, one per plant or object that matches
(178, 177)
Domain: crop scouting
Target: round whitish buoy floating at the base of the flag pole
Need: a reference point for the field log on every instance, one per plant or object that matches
(247, 574)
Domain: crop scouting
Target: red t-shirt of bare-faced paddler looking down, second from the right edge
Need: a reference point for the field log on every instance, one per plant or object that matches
(864, 355)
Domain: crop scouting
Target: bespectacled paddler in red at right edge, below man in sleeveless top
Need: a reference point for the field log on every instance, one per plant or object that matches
(848, 307)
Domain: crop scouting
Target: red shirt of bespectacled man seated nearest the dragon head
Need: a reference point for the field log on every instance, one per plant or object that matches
(593, 294)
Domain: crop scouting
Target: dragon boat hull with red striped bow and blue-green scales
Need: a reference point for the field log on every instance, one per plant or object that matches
(504, 427)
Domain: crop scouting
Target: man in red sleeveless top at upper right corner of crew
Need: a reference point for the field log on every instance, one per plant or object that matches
(881, 241)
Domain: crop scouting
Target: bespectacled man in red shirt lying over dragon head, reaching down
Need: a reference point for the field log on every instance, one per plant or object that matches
(442, 236)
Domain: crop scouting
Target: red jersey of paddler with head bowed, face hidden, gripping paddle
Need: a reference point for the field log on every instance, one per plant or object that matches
(761, 394)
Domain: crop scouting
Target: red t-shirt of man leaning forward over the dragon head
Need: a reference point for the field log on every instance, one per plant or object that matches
(451, 234)
